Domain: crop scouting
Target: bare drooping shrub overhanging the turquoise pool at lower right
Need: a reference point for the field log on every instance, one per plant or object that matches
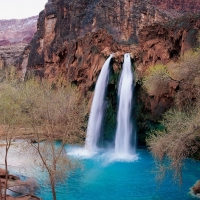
(179, 140)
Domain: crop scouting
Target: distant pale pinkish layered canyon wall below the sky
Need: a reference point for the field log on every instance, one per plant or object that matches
(15, 34)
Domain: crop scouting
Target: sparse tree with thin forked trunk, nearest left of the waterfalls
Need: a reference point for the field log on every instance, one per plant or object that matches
(53, 115)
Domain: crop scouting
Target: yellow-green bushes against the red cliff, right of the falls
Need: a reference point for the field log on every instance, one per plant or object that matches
(185, 72)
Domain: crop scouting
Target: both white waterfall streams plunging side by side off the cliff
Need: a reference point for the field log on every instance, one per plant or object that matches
(124, 137)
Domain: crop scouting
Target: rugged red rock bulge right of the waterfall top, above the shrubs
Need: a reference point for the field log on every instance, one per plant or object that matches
(162, 43)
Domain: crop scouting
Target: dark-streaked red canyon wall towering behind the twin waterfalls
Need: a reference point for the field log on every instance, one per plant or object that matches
(74, 38)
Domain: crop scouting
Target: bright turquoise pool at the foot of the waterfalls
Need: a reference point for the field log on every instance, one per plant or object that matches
(100, 179)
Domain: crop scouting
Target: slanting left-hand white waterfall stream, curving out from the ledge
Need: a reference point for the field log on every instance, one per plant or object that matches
(98, 108)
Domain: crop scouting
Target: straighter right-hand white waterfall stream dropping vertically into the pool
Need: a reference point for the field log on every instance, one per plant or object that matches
(123, 136)
